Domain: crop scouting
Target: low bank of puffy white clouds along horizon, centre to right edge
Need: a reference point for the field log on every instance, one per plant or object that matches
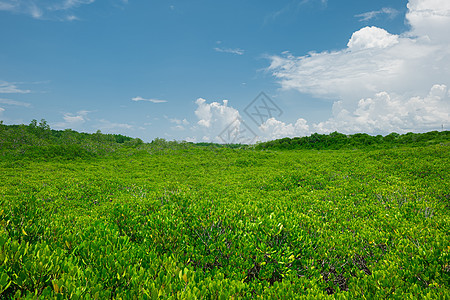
(381, 114)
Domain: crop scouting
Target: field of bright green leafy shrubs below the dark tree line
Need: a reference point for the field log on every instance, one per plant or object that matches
(185, 222)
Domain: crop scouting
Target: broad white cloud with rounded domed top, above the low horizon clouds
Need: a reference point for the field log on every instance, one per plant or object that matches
(374, 61)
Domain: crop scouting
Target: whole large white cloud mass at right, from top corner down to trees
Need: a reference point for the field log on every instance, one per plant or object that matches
(381, 82)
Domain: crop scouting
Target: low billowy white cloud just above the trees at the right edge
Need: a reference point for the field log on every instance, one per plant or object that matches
(387, 112)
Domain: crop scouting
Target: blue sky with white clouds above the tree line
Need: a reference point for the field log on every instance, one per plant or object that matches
(237, 71)
